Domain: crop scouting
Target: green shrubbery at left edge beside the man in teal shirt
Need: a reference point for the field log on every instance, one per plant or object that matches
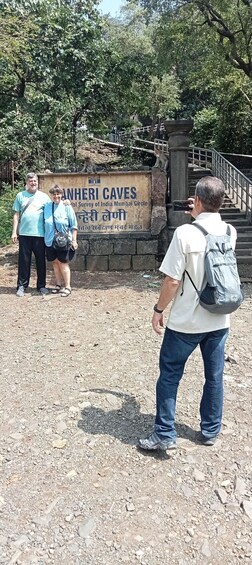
(6, 213)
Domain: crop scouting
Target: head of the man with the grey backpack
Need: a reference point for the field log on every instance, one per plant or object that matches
(211, 192)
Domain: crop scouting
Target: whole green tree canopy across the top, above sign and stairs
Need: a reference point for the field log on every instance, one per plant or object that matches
(63, 65)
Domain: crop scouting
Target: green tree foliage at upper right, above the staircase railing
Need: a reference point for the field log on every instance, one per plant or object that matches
(208, 46)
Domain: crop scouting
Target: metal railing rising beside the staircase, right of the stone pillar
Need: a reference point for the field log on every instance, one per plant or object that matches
(238, 186)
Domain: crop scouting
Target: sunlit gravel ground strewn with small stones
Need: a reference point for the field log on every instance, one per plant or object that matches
(78, 388)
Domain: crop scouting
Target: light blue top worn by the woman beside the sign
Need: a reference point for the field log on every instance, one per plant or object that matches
(65, 220)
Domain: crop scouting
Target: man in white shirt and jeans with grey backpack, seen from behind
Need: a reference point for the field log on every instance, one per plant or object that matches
(186, 265)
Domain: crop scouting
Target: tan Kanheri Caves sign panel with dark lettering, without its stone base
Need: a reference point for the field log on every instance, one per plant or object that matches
(108, 203)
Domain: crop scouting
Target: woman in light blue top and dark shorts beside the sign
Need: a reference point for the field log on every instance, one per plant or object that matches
(56, 213)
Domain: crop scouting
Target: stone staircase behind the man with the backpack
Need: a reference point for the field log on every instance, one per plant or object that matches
(232, 215)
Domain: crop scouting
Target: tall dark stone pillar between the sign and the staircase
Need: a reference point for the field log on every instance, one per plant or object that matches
(178, 142)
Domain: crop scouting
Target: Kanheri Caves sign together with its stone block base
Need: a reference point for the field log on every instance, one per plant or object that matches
(121, 217)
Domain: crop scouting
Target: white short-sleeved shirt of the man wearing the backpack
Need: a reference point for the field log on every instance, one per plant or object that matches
(186, 252)
